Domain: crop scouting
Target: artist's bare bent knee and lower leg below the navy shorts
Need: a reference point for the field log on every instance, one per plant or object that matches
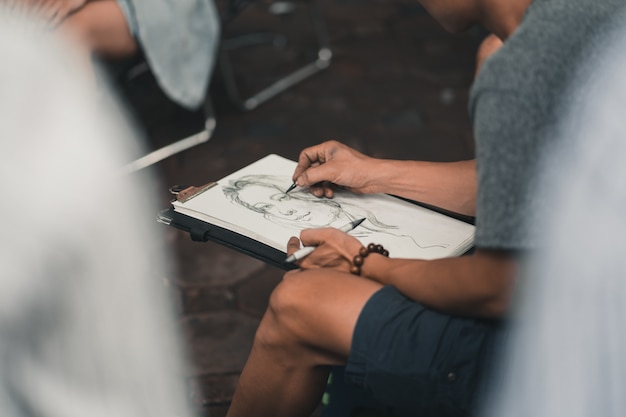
(307, 328)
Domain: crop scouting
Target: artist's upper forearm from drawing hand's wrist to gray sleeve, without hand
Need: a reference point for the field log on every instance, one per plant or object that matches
(449, 185)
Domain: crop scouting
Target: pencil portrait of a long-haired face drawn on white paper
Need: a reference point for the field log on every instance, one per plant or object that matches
(265, 195)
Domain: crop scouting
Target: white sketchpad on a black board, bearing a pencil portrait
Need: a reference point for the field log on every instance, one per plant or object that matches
(249, 211)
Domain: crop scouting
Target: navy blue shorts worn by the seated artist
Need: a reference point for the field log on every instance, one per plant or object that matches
(416, 361)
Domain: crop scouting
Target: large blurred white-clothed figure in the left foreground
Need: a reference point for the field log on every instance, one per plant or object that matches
(87, 328)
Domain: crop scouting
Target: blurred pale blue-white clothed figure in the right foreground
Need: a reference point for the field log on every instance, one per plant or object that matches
(566, 352)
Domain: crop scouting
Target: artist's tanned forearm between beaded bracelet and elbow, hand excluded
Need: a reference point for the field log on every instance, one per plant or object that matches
(478, 285)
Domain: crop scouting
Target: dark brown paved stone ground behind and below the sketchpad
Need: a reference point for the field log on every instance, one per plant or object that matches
(397, 88)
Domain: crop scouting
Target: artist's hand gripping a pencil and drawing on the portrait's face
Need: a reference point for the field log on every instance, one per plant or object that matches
(331, 164)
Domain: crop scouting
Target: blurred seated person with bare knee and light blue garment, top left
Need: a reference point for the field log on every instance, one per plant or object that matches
(178, 38)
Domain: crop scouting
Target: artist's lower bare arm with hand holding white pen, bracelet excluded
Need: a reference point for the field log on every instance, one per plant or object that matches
(478, 285)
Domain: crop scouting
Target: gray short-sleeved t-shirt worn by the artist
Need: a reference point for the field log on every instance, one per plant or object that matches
(516, 104)
